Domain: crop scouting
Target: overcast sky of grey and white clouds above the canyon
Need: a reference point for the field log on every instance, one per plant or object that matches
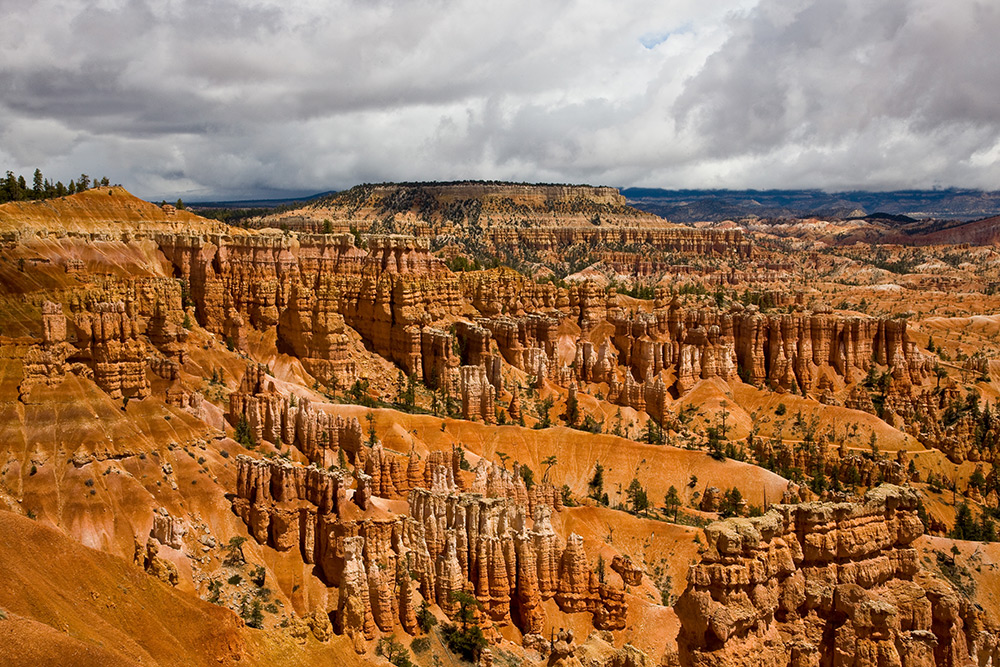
(219, 99)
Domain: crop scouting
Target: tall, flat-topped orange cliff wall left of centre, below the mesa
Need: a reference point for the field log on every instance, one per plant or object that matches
(313, 285)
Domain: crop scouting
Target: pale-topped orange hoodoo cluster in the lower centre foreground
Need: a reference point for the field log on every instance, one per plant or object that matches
(446, 542)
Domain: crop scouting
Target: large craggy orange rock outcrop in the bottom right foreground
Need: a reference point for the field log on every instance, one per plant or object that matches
(824, 583)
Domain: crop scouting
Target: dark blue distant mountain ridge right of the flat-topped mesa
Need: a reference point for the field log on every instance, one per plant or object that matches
(714, 205)
